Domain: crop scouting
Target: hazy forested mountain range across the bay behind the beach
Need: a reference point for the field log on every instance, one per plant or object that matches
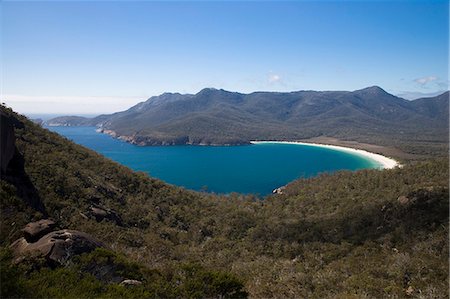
(221, 117)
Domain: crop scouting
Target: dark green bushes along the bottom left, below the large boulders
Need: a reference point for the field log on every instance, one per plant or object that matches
(93, 275)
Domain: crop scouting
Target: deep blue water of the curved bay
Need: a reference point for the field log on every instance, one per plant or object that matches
(254, 169)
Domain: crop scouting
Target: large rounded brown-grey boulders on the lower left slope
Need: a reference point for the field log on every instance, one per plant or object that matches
(56, 247)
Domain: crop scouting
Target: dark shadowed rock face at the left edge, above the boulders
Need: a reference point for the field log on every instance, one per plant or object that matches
(12, 165)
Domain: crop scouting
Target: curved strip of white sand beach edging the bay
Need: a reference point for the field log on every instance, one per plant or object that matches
(383, 161)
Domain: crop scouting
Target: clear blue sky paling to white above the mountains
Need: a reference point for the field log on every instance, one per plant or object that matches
(93, 57)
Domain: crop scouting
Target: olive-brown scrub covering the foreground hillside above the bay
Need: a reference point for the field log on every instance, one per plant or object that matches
(350, 234)
